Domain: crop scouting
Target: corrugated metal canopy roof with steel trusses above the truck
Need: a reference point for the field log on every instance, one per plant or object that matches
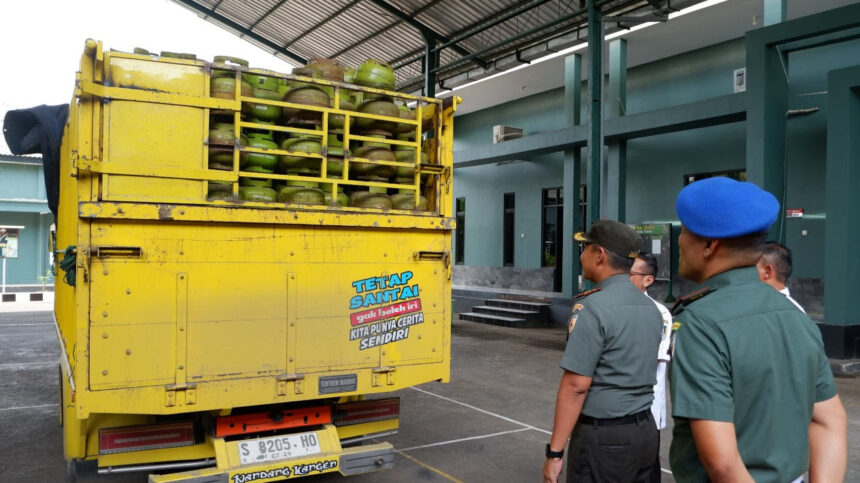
(472, 38)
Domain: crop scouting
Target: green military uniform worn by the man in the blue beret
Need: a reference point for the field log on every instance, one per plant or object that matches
(744, 354)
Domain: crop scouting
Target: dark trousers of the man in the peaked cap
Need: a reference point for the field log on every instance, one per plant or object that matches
(613, 454)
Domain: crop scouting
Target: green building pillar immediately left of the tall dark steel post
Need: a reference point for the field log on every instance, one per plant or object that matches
(572, 164)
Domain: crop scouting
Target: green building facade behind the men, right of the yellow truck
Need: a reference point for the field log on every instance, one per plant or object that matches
(667, 123)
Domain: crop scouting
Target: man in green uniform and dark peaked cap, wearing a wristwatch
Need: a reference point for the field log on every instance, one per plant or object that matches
(606, 391)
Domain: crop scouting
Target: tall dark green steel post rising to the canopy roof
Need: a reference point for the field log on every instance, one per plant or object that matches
(595, 121)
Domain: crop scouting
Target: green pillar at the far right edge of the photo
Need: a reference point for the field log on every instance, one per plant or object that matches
(841, 327)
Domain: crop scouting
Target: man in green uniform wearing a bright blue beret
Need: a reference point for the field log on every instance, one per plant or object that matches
(752, 393)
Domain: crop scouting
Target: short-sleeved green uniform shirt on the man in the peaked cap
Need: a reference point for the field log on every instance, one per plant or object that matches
(614, 335)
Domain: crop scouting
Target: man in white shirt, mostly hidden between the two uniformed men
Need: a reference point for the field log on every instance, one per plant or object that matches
(642, 276)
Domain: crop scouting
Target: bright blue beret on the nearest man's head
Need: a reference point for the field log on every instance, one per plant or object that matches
(721, 207)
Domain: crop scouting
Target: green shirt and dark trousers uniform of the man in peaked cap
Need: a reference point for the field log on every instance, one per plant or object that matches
(614, 335)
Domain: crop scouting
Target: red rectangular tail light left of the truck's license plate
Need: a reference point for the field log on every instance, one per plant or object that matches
(137, 438)
